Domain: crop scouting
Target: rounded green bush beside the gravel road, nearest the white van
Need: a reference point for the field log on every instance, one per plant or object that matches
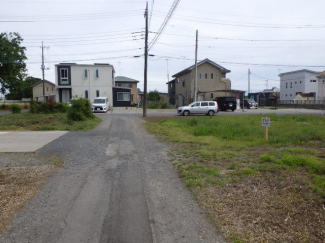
(80, 110)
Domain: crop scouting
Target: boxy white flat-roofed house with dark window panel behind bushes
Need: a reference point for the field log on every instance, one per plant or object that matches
(84, 80)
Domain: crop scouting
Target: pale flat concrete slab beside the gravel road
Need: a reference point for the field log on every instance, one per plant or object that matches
(27, 141)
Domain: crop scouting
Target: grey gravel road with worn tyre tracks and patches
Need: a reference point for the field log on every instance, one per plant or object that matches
(118, 186)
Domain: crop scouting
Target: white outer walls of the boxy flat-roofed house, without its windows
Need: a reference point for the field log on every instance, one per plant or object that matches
(80, 83)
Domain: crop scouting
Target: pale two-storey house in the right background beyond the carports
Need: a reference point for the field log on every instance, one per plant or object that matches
(300, 81)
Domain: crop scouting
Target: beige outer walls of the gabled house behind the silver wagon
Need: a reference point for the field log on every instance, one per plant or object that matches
(203, 84)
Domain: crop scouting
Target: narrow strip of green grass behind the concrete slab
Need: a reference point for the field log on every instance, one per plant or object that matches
(44, 122)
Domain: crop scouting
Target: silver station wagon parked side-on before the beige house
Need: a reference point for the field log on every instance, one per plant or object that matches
(199, 107)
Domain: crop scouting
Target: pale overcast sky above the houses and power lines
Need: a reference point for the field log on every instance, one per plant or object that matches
(267, 37)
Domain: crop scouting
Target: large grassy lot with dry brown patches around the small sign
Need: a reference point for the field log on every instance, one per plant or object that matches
(241, 179)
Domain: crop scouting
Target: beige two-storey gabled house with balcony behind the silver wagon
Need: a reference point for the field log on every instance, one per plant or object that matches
(211, 77)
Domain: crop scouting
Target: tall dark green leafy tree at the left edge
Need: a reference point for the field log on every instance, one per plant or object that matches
(12, 65)
